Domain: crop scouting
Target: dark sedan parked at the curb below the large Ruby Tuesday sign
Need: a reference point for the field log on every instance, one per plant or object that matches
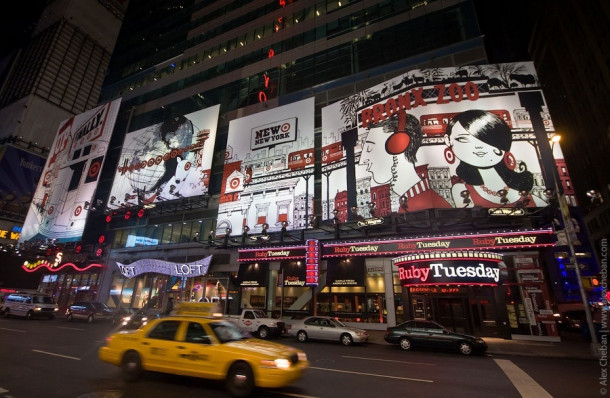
(428, 334)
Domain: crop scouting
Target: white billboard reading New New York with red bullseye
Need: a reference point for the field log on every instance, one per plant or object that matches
(268, 172)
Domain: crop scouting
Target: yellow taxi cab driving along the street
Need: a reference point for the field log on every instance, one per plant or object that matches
(196, 341)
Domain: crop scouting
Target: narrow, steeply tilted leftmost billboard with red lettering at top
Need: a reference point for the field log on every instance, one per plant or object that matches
(63, 197)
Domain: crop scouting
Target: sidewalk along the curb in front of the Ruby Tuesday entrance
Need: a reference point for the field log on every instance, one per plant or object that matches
(568, 348)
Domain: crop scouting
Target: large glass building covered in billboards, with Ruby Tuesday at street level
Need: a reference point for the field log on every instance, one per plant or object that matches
(310, 143)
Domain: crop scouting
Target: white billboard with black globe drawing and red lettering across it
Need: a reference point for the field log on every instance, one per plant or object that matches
(166, 161)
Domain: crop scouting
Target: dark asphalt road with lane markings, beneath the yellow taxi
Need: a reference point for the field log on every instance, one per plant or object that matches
(57, 358)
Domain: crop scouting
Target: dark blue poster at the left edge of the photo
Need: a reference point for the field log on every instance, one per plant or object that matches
(20, 172)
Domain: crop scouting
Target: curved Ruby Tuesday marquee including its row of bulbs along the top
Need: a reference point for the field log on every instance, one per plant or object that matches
(449, 268)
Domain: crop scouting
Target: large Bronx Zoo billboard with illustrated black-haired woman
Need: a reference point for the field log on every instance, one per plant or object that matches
(435, 138)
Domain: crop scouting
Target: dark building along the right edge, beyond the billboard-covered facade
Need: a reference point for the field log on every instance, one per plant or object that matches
(569, 47)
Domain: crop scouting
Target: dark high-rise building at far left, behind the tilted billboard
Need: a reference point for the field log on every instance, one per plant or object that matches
(51, 70)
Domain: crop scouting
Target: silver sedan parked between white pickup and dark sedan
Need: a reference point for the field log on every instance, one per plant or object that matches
(325, 328)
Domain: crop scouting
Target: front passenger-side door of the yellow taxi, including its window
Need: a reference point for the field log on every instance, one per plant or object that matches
(195, 351)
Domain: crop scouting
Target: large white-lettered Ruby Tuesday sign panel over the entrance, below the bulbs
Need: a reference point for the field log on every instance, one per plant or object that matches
(449, 272)
